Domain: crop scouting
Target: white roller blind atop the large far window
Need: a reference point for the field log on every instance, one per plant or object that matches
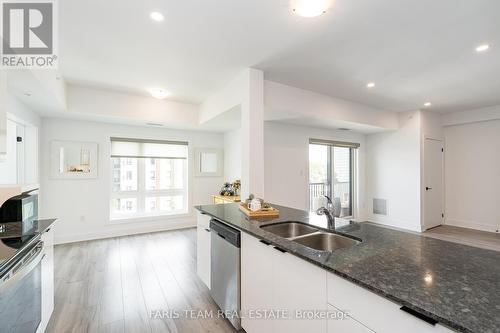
(139, 148)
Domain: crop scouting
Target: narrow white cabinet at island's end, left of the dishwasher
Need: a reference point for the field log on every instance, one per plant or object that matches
(203, 248)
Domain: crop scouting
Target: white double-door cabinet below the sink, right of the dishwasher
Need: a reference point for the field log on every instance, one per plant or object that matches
(273, 280)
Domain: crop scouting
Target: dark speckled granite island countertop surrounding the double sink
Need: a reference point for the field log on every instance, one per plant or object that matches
(457, 285)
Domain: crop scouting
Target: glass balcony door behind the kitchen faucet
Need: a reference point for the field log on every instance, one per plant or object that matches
(331, 173)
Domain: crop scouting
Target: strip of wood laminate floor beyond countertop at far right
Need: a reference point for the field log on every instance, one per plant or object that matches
(477, 238)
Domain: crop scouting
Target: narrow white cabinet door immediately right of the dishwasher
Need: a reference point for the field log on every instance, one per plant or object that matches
(256, 284)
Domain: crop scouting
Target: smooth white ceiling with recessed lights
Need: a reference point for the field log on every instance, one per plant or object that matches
(415, 51)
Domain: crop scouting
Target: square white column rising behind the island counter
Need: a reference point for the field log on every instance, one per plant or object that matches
(252, 134)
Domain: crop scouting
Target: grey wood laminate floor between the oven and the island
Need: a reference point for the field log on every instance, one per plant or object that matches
(112, 285)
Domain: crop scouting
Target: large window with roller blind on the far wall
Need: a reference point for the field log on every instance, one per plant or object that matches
(149, 178)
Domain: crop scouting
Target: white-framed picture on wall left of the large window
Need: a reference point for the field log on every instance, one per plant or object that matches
(73, 160)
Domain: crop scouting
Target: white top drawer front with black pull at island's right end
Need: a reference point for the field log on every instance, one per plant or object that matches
(373, 311)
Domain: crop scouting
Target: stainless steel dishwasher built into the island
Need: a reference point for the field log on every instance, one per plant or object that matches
(225, 270)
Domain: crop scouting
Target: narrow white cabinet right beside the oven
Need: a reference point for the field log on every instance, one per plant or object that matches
(47, 278)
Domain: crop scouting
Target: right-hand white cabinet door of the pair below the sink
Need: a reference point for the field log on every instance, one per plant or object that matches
(299, 288)
